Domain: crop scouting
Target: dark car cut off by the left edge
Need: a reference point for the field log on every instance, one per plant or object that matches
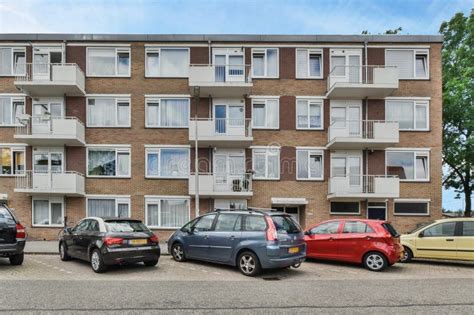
(12, 236)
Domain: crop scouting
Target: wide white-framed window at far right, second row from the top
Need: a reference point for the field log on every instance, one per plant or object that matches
(410, 114)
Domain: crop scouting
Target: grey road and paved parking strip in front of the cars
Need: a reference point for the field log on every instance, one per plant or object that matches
(44, 284)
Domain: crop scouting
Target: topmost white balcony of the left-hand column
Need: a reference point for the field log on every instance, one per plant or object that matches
(51, 80)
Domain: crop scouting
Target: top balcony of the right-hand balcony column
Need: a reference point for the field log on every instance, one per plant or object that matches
(359, 82)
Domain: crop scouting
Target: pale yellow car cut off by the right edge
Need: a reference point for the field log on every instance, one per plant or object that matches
(450, 239)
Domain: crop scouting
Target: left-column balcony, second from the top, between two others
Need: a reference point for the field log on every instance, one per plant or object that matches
(44, 130)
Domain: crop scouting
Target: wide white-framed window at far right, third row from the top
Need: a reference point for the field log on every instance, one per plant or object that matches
(408, 165)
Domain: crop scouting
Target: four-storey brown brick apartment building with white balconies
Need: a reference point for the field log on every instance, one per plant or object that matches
(164, 127)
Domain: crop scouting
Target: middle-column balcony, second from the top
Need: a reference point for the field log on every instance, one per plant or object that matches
(221, 132)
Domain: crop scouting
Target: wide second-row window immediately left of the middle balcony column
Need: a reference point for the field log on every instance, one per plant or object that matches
(167, 113)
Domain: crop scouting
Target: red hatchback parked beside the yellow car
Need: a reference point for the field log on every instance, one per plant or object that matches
(374, 243)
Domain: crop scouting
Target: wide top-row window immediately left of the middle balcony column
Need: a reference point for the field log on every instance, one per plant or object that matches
(167, 62)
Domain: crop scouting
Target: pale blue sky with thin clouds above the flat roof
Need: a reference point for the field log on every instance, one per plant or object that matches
(231, 17)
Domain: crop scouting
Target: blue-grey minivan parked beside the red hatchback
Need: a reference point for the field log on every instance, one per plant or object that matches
(249, 239)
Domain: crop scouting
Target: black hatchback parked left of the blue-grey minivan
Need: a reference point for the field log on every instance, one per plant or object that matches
(109, 241)
